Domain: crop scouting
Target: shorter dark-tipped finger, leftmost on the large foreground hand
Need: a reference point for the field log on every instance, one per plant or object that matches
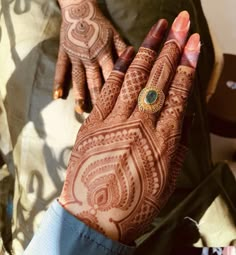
(111, 89)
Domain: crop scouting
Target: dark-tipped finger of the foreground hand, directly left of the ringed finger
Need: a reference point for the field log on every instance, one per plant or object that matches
(138, 72)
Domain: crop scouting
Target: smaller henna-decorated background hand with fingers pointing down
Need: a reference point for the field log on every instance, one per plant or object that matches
(86, 41)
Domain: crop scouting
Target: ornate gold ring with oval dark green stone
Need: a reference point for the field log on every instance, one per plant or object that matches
(151, 99)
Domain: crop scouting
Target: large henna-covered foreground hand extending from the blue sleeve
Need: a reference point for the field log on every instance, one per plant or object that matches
(125, 160)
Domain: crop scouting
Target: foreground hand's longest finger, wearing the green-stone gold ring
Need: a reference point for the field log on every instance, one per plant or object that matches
(163, 71)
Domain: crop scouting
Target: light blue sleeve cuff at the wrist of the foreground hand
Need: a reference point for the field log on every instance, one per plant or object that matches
(61, 233)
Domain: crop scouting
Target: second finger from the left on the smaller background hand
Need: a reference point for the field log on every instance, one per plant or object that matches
(78, 80)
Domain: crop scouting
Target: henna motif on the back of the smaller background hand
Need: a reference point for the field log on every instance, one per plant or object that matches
(86, 37)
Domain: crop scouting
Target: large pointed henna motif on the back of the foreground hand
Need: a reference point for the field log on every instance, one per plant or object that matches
(118, 168)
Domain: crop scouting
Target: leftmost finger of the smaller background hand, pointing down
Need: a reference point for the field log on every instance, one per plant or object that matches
(60, 73)
